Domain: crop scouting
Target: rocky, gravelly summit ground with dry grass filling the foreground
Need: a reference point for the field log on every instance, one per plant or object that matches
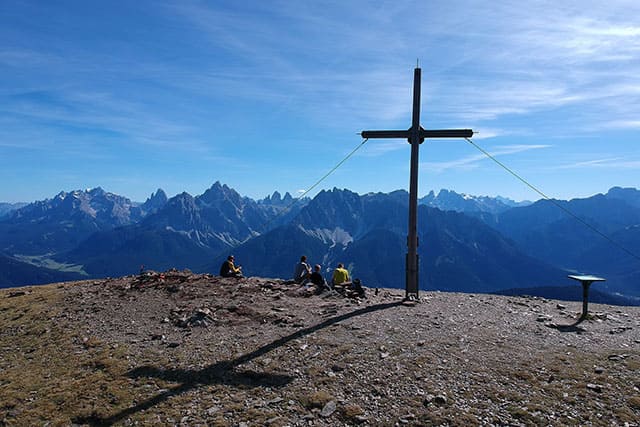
(177, 348)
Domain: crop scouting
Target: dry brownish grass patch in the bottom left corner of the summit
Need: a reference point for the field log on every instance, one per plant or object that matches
(49, 372)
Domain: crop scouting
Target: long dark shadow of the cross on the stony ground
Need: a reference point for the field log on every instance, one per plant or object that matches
(223, 372)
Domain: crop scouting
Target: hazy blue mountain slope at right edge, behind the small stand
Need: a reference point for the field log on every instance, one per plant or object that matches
(545, 232)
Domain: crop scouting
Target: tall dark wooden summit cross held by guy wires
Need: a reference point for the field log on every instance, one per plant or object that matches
(415, 135)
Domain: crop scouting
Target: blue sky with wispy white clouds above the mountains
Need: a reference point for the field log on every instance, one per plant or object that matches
(270, 95)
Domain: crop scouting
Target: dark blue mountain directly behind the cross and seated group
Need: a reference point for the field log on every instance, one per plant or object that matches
(367, 234)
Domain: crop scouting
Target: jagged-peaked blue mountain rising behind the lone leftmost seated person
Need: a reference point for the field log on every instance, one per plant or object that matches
(186, 231)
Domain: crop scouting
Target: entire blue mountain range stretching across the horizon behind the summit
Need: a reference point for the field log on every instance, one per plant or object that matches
(467, 243)
